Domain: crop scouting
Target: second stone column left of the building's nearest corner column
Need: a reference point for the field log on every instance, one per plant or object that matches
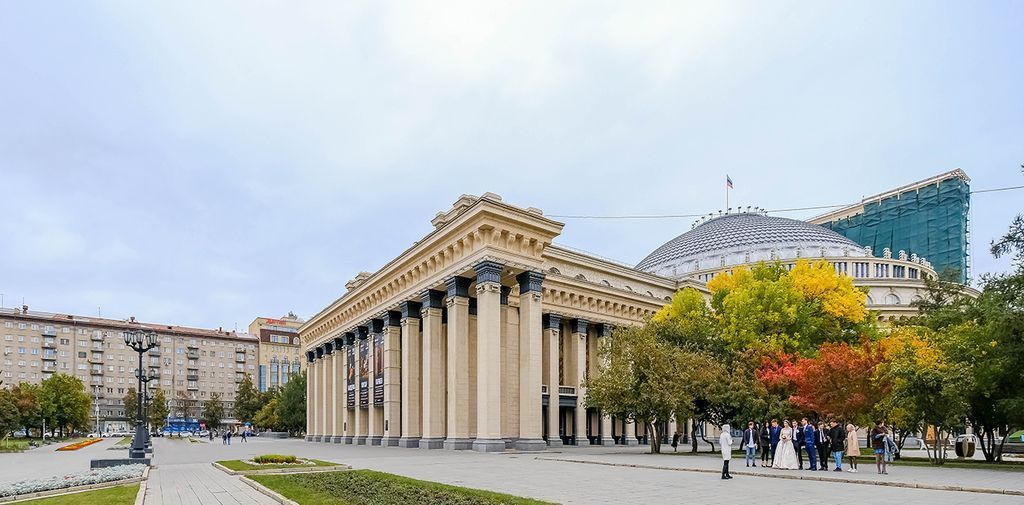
(435, 367)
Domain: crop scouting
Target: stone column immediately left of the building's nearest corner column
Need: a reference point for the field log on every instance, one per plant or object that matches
(458, 364)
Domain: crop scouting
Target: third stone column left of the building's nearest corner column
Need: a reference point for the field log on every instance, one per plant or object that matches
(412, 376)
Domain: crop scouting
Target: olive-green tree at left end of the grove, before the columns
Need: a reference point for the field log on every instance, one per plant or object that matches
(646, 380)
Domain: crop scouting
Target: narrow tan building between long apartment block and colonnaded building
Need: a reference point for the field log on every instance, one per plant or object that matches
(279, 350)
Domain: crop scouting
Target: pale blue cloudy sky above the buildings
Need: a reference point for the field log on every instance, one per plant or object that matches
(204, 163)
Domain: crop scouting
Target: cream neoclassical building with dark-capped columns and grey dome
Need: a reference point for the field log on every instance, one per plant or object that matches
(481, 335)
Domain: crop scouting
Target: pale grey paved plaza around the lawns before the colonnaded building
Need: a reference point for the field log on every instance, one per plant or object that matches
(183, 475)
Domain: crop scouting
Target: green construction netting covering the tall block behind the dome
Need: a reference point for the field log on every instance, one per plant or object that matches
(931, 222)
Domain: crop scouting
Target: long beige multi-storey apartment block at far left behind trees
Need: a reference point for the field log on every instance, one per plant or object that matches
(192, 363)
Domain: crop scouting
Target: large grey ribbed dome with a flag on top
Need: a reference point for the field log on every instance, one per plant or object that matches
(743, 239)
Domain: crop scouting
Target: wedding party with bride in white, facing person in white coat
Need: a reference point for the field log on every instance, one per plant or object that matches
(783, 446)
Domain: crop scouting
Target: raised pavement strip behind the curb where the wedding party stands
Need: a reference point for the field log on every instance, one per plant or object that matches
(979, 481)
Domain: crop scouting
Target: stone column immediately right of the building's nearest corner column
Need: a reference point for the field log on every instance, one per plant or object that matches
(531, 423)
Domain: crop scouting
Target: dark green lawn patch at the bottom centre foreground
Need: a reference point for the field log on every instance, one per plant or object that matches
(368, 487)
